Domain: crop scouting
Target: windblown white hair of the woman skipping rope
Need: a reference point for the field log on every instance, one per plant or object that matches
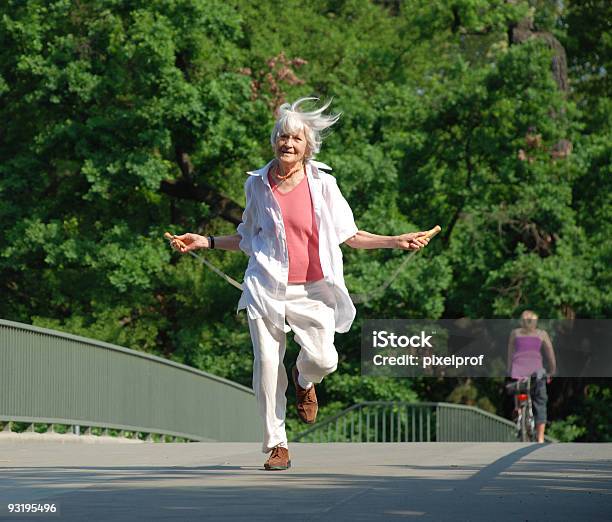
(291, 120)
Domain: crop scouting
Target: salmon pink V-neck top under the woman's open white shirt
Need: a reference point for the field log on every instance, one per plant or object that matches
(301, 232)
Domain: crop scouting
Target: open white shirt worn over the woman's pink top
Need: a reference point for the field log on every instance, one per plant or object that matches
(263, 240)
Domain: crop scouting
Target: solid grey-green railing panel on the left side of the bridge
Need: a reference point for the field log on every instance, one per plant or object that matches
(57, 378)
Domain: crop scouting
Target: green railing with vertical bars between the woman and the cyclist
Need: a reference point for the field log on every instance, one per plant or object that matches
(410, 422)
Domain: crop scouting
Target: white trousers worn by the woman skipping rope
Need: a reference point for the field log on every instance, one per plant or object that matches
(309, 311)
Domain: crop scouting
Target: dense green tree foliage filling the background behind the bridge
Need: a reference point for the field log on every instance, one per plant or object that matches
(123, 119)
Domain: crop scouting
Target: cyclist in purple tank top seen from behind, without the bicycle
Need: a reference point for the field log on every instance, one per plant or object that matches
(525, 347)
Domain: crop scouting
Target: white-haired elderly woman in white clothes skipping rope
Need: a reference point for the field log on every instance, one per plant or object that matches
(292, 227)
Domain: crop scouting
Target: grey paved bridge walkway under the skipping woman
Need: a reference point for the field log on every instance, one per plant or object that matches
(352, 482)
